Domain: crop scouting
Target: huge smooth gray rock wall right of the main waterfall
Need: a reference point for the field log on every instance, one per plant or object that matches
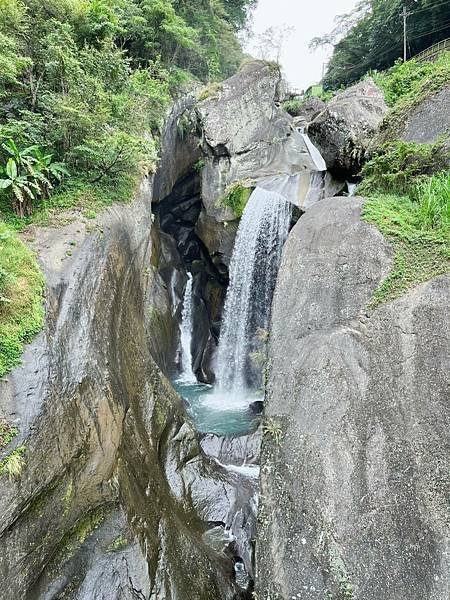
(354, 478)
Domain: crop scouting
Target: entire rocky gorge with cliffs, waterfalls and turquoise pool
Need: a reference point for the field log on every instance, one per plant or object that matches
(215, 409)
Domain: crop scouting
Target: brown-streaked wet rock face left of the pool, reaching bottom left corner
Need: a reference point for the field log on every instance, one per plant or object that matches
(116, 495)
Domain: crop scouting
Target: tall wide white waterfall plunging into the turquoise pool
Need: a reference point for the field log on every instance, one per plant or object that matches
(254, 266)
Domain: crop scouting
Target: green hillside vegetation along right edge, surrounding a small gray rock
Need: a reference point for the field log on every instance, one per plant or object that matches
(408, 184)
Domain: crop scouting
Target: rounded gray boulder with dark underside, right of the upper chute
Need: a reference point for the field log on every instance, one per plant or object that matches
(344, 130)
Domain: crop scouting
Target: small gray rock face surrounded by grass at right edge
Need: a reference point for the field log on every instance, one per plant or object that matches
(430, 120)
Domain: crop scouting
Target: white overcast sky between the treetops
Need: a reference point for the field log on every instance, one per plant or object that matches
(309, 18)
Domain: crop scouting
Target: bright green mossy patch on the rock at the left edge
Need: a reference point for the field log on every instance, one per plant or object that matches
(21, 305)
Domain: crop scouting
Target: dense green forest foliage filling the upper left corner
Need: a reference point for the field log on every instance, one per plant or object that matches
(85, 86)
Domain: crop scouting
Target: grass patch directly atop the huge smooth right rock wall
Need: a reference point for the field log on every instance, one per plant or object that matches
(419, 229)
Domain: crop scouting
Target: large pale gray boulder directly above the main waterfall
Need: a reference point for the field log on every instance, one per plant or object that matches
(247, 137)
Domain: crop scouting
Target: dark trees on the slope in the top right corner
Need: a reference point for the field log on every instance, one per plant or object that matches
(371, 36)
